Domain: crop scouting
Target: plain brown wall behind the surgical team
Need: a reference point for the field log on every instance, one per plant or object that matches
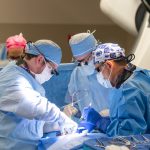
(57, 19)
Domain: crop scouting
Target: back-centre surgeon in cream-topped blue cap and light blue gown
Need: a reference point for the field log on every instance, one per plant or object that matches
(83, 85)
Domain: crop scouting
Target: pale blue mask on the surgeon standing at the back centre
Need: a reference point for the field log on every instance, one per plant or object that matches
(88, 69)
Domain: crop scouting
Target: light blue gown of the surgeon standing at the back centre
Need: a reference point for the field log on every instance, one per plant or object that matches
(96, 95)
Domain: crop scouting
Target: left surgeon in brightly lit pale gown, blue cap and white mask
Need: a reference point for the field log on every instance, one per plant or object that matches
(25, 112)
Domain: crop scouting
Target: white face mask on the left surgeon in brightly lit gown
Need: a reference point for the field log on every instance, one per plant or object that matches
(45, 75)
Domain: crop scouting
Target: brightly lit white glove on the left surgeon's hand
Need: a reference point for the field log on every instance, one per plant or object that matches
(68, 126)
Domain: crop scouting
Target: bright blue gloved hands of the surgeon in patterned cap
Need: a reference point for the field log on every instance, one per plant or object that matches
(92, 119)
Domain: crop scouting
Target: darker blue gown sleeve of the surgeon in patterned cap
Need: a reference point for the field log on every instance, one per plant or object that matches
(127, 112)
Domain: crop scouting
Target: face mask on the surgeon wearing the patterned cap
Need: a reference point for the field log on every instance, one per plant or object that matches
(104, 82)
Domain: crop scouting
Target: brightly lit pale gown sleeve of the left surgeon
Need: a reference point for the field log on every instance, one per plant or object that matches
(19, 97)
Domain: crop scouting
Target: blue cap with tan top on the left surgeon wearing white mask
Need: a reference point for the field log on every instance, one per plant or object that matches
(50, 50)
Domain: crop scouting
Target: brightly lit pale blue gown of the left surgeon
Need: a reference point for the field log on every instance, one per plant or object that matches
(25, 113)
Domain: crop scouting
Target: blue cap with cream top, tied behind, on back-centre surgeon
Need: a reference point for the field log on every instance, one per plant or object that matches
(82, 44)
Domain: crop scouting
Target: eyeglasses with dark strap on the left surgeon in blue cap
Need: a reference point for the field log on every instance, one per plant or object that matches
(50, 64)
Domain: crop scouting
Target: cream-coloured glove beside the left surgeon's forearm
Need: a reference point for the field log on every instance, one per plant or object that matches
(70, 110)
